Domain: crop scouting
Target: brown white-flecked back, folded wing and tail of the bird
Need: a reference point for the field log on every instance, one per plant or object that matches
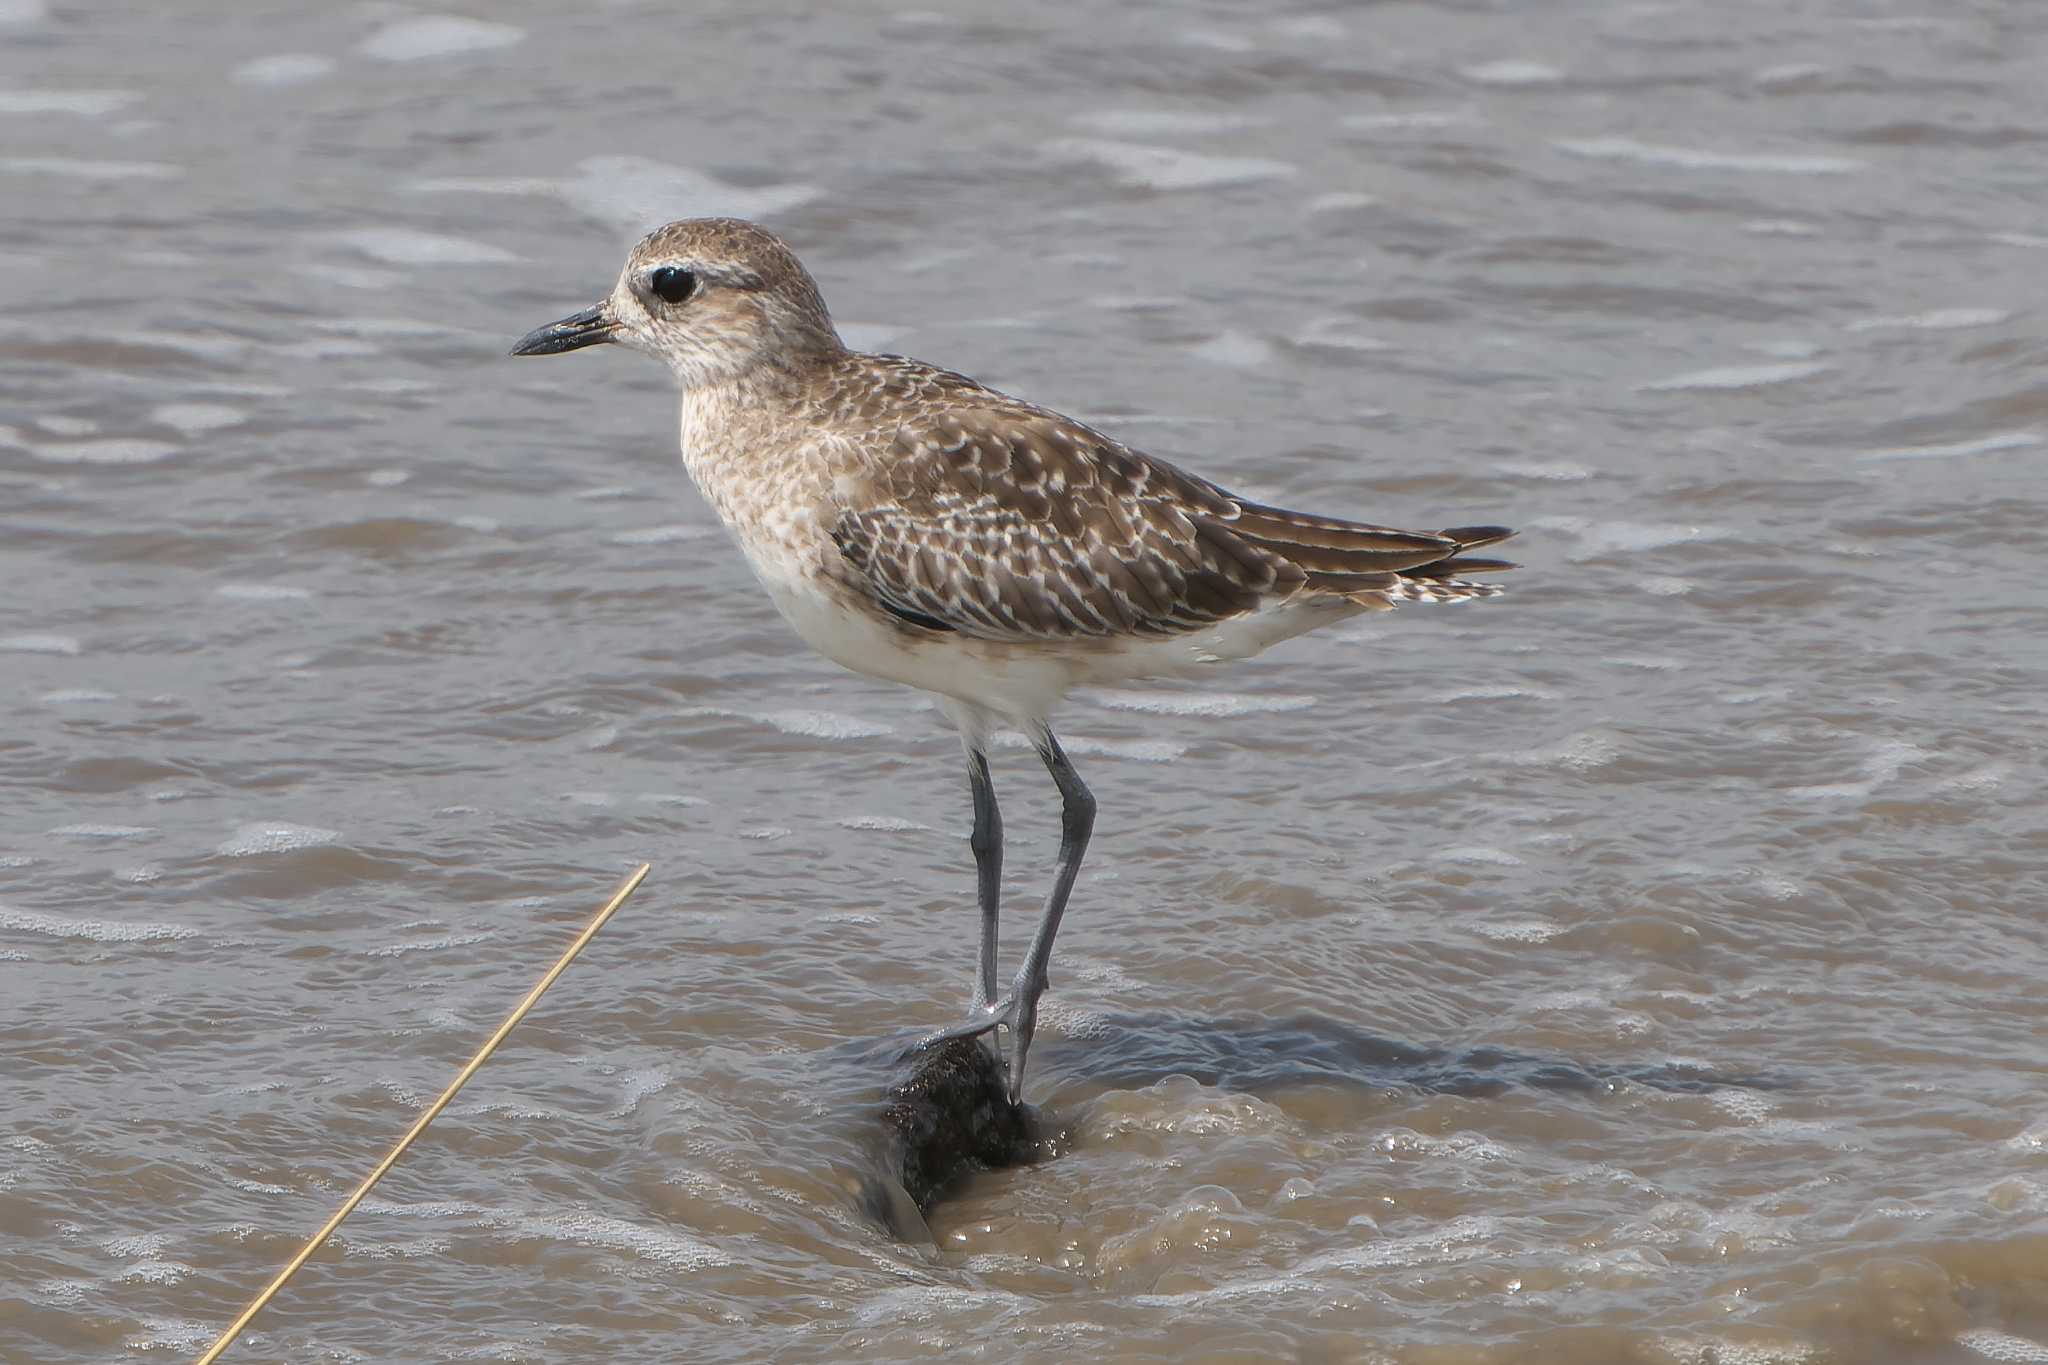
(1011, 523)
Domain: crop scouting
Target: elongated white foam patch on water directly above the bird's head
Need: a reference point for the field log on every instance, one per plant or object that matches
(632, 191)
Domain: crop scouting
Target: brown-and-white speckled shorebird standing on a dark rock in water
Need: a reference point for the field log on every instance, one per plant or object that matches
(919, 527)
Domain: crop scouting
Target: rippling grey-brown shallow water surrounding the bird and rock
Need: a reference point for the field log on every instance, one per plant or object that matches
(1646, 967)
